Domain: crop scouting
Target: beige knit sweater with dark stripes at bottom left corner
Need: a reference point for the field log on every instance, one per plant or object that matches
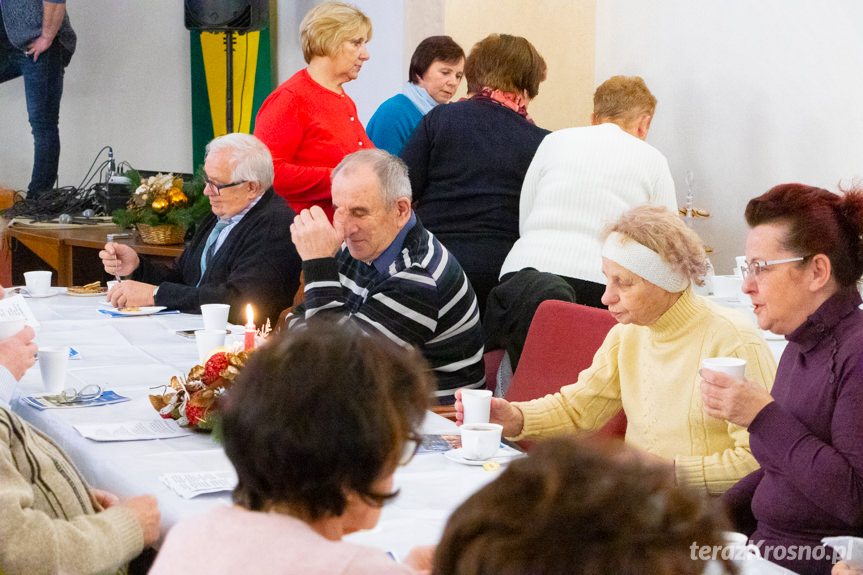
(48, 521)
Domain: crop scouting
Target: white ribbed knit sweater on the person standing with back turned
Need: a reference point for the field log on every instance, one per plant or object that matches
(580, 180)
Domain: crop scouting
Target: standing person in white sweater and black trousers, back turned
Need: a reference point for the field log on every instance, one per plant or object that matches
(580, 180)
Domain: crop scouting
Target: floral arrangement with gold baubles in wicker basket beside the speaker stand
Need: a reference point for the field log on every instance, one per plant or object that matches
(163, 199)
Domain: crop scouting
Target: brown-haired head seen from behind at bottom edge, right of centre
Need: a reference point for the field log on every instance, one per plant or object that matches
(568, 508)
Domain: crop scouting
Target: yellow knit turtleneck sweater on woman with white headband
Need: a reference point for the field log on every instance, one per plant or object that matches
(652, 372)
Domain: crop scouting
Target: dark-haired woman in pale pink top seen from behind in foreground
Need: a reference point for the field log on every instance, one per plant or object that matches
(316, 425)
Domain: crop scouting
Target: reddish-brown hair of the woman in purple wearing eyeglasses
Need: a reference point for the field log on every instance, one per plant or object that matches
(819, 222)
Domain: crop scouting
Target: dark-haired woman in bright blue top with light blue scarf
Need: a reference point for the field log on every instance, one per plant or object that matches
(434, 75)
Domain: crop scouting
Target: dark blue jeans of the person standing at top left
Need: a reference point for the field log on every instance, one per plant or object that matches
(43, 86)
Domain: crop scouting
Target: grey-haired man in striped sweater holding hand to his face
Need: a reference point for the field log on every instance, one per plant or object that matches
(377, 265)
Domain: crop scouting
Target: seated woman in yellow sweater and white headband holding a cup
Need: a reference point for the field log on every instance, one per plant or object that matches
(648, 364)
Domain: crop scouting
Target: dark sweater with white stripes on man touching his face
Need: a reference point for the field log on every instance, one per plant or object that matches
(423, 300)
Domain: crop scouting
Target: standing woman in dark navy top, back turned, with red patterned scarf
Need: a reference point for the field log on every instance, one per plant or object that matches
(467, 160)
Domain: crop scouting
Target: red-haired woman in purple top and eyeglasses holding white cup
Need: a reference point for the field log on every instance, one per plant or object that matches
(804, 258)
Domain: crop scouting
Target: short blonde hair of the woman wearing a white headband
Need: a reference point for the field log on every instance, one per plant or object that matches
(665, 233)
